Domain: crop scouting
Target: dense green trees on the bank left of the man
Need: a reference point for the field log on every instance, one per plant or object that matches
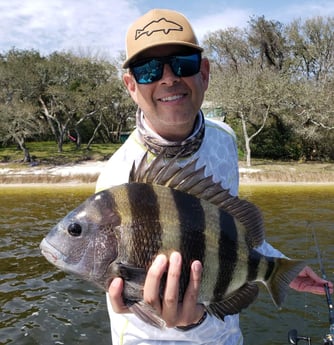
(58, 95)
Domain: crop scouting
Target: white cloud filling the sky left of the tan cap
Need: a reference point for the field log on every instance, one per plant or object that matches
(59, 25)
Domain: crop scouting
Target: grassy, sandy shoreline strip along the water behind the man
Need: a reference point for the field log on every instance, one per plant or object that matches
(83, 166)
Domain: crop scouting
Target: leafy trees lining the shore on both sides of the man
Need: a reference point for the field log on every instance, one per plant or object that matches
(274, 83)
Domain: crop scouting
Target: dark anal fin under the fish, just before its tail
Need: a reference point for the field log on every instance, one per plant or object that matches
(234, 303)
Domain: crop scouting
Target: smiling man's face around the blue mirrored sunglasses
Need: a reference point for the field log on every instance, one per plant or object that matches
(170, 105)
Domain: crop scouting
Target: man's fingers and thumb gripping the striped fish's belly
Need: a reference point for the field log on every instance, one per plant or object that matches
(174, 313)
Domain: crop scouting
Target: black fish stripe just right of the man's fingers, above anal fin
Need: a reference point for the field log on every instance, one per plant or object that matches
(228, 252)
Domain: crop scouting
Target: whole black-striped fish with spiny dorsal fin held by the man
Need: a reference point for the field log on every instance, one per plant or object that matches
(119, 231)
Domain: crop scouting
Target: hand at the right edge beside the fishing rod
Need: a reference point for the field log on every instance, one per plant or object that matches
(308, 281)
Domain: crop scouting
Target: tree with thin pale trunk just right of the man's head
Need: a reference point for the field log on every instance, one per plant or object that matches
(243, 85)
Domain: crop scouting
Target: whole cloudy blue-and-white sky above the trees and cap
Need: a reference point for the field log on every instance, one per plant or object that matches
(98, 27)
